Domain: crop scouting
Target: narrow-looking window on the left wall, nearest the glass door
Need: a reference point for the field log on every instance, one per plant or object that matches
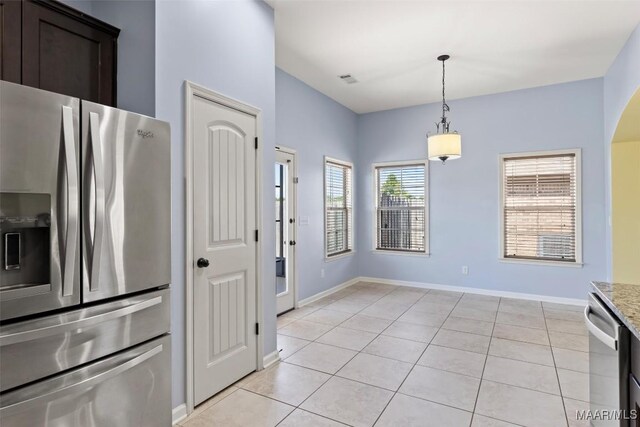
(338, 222)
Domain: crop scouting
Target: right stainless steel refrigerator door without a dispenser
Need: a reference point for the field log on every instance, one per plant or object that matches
(126, 202)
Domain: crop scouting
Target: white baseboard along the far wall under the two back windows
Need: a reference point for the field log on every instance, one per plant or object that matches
(479, 291)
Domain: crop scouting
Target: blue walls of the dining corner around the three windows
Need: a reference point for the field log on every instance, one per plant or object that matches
(547, 118)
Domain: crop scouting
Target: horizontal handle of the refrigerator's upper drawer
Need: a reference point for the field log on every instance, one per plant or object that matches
(87, 322)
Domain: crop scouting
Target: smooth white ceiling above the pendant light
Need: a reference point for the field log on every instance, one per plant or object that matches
(390, 46)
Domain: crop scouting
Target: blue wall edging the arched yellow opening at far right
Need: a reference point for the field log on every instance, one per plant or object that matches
(620, 83)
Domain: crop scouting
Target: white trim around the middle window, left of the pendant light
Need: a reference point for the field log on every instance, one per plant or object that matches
(427, 207)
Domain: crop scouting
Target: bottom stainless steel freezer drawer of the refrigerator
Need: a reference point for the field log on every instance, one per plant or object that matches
(130, 389)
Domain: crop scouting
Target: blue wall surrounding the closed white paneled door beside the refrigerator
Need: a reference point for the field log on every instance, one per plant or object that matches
(227, 46)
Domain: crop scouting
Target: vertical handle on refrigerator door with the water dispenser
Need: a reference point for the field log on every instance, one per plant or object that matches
(72, 202)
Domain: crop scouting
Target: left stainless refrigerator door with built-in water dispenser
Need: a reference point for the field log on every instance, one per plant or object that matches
(39, 201)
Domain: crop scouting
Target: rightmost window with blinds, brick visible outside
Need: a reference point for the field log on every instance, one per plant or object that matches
(540, 208)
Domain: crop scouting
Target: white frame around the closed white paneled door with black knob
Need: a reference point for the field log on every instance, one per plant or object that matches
(192, 90)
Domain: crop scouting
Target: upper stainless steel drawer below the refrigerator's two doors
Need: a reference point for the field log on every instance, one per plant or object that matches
(45, 346)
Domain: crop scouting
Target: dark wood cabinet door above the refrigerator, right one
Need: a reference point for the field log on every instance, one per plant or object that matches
(64, 55)
